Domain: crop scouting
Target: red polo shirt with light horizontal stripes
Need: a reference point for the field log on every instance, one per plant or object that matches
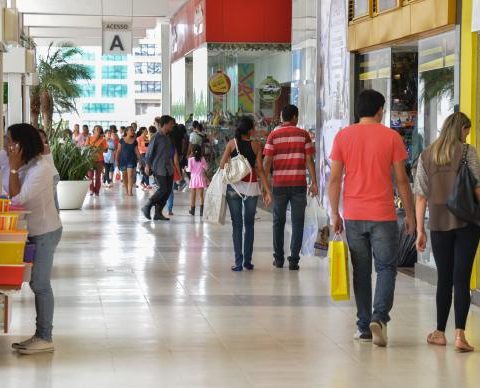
(289, 146)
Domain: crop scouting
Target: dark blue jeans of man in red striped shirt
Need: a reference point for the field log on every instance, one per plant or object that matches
(297, 197)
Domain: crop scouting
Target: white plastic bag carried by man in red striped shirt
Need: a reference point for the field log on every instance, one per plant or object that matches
(316, 220)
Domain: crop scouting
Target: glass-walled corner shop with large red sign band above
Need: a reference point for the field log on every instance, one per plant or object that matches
(221, 69)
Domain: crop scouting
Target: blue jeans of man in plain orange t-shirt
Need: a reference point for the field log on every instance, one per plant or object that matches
(367, 239)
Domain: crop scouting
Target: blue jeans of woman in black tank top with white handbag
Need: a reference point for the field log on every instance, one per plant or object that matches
(242, 213)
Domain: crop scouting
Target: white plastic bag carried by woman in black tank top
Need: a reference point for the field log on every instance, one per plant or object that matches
(215, 206)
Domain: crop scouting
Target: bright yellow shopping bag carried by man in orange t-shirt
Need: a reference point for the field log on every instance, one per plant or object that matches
(338, 263)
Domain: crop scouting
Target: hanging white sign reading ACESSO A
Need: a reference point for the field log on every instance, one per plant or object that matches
(117, 38)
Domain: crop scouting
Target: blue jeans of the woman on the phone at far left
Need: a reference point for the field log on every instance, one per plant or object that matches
(45, 245)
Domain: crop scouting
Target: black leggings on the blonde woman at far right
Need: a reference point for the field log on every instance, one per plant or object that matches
(454, 253)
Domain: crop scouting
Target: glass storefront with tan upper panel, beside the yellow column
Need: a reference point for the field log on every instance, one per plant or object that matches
(415, 65)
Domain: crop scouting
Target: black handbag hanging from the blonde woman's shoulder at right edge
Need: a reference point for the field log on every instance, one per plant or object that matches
(462, 202)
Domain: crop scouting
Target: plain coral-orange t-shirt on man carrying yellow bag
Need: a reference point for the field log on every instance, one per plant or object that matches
(368, 152)
